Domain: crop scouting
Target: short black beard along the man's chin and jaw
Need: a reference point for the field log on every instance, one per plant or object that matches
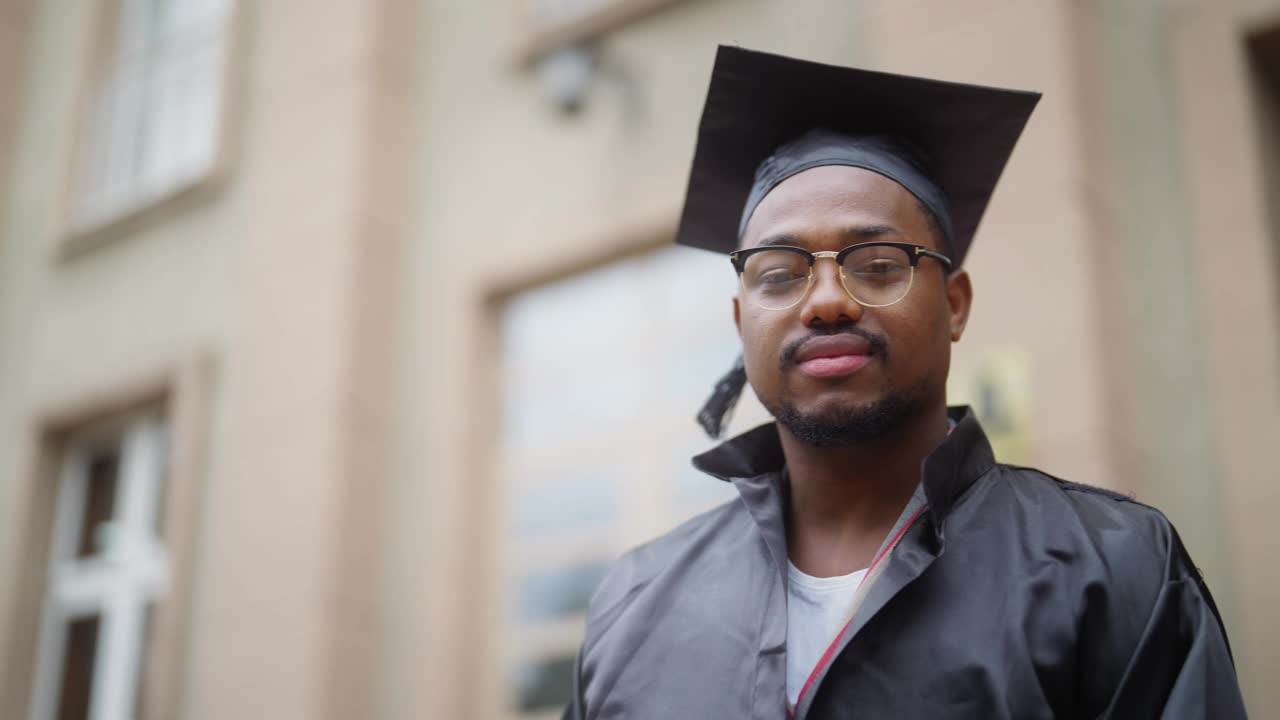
(852, 426)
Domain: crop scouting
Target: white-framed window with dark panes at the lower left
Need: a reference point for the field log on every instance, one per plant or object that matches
(107, 568)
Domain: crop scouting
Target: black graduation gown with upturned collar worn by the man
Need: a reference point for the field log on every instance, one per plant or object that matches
(1009, 595)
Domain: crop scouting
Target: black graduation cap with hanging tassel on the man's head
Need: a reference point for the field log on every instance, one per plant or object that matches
(769, 117)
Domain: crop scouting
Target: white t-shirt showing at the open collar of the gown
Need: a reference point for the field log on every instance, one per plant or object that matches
(816, 613)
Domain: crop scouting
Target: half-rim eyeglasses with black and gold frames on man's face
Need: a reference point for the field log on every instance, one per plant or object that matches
(875, 275)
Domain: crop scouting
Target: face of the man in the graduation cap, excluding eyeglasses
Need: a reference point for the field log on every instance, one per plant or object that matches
(900, 353)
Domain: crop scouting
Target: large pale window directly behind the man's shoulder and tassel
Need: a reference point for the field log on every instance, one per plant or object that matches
(604, 373)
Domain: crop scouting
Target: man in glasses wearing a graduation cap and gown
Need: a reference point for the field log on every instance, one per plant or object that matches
(880, 562)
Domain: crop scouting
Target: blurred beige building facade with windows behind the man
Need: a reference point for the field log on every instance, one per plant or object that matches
(344, 345)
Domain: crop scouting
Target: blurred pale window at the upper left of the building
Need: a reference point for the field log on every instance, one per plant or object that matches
(152, 121)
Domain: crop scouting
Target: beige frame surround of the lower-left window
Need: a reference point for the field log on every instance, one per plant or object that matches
(181, 391)
